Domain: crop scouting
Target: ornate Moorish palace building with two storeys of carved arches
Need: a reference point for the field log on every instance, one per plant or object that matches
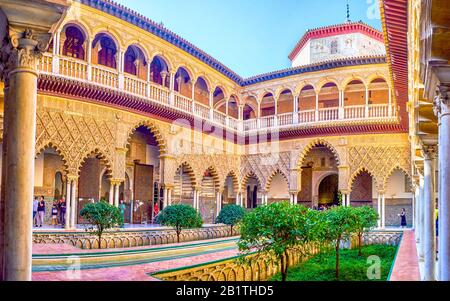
(129, 111)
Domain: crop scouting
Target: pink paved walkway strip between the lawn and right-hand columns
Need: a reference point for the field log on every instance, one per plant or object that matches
(406, 267)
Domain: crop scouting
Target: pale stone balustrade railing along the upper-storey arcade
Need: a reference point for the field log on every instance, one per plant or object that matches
(152, 92)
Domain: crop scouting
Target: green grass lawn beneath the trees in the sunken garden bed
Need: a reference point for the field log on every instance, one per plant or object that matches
(352, 267)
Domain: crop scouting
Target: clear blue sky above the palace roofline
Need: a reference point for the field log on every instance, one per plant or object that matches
(251, 36)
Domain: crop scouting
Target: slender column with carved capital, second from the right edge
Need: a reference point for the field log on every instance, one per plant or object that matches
(429, 212)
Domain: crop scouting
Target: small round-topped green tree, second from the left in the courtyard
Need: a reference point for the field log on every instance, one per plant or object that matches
(180, 216)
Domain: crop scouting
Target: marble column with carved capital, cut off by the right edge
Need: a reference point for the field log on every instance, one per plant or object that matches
(442, 109)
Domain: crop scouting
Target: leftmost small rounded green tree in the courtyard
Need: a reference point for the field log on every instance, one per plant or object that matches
(102, 216)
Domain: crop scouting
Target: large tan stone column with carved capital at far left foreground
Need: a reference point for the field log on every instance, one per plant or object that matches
(19, 72)
